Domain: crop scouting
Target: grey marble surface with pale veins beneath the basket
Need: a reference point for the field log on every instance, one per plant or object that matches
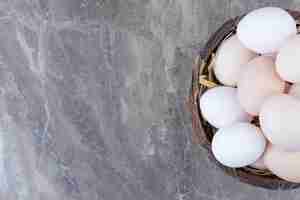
(92, 100)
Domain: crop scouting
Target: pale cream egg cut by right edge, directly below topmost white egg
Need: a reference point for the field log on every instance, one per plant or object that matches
(287, 61)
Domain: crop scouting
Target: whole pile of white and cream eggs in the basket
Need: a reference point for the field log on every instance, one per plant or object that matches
(259, 68)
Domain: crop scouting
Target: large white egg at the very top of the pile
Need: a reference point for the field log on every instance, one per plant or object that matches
(264, 30)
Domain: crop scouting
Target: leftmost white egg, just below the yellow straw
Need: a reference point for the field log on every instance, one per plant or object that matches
(220, 107)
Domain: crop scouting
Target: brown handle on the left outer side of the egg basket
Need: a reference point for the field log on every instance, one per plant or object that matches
(198, 135)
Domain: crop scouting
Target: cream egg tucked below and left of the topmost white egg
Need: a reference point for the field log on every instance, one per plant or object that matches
(231, 57)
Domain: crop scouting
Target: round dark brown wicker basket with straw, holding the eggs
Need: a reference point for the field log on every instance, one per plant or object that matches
(202, 79)
